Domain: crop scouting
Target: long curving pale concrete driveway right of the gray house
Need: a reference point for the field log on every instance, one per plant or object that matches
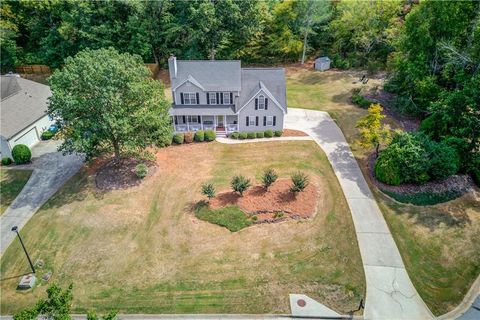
(390, 293)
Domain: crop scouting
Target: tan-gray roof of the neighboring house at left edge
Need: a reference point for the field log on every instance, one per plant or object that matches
(23, 103)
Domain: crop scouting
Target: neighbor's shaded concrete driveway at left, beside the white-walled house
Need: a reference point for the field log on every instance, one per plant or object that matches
(50, 171)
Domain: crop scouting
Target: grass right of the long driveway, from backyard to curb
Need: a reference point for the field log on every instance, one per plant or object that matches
(440, 244)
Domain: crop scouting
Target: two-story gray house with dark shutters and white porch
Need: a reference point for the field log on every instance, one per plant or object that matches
(223, 96)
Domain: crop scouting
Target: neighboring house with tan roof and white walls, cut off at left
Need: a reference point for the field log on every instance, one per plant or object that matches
(23, 110)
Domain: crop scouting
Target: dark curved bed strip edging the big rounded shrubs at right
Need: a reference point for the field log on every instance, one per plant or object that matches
(457, 183)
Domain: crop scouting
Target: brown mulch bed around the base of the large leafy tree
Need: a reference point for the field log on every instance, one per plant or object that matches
(111, 175)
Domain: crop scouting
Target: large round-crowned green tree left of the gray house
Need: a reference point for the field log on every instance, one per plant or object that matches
(106, 101)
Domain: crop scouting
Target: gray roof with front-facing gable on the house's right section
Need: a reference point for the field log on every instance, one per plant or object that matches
(270, 80)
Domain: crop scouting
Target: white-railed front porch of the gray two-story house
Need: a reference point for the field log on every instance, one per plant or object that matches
(192, 123)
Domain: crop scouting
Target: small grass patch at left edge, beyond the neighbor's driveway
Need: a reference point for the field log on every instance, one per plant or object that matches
(11, 183)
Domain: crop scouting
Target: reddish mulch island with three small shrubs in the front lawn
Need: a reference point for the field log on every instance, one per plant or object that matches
(275, 205)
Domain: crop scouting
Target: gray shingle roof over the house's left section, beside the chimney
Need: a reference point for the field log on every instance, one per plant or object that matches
(213, 75)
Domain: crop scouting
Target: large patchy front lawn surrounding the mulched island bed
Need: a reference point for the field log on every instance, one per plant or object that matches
(142, 250)
